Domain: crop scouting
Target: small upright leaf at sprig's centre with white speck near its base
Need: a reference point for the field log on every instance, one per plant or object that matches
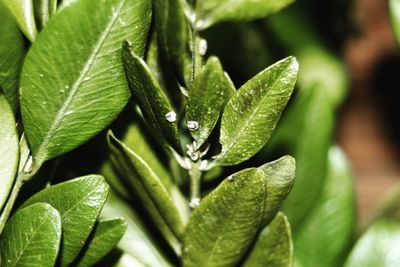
(207, 98)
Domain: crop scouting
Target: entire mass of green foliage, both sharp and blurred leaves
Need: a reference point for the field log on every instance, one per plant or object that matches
(137, 90)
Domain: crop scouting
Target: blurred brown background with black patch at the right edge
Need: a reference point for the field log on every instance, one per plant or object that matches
(368, 125)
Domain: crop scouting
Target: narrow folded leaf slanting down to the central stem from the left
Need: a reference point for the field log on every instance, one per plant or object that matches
(146, 180)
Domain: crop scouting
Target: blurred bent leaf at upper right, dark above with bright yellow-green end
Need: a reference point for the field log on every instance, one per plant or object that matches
(319, 64)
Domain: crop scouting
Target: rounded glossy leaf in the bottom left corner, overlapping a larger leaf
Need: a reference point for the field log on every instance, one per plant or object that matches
(31, 237)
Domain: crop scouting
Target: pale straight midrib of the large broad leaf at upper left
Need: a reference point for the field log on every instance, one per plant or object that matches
(41, 154)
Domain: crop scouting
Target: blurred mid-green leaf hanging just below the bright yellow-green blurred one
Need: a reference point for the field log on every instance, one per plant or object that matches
(307, 130)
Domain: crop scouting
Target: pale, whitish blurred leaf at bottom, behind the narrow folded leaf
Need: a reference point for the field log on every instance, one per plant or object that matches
(136, 241)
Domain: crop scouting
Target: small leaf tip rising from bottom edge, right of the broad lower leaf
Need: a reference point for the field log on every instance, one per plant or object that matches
(274, 246)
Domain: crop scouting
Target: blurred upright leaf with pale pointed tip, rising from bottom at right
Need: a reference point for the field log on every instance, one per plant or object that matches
(325, 235)
